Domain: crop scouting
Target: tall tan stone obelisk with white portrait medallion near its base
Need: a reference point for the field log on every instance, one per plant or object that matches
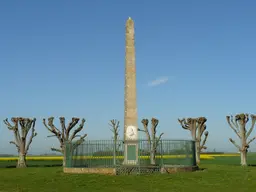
(130, 103)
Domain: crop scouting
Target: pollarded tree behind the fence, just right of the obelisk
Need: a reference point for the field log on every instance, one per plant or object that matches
(153, 140)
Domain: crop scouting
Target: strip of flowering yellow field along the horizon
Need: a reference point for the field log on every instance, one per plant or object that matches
(59, 158)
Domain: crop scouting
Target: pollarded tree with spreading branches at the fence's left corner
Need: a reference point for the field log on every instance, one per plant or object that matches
(64, 134)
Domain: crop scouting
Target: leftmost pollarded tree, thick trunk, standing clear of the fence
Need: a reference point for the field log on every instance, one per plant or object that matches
(21, 135)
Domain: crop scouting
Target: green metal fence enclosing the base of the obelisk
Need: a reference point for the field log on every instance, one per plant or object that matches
(111, 154)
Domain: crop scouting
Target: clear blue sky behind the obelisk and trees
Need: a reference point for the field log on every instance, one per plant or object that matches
(66, 58)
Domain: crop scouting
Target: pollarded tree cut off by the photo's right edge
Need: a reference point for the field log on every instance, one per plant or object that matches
(239, 127)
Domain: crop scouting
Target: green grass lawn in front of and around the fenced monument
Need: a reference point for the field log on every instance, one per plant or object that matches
(222, 174)
